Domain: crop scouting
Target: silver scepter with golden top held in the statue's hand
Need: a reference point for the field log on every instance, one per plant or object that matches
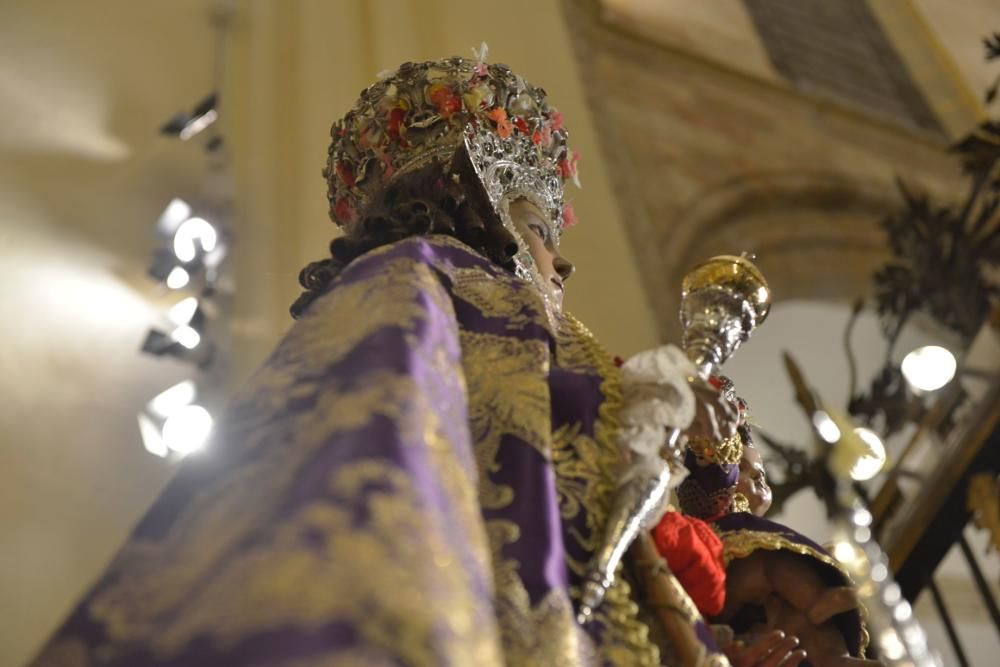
(722, 301)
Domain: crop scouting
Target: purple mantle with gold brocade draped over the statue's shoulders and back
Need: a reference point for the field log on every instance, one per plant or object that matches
(417, 476)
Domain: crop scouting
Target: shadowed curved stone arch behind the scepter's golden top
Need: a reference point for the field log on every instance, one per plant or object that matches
(815, 234)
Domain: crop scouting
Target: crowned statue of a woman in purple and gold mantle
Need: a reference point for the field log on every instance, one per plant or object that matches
(423, 469)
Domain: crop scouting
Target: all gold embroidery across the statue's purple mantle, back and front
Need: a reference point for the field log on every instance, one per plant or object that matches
(230, 566)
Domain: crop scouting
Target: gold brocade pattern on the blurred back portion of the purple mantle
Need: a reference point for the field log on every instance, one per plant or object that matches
(228, 567)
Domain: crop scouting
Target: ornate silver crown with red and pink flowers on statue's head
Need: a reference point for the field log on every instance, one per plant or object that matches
(425, 112)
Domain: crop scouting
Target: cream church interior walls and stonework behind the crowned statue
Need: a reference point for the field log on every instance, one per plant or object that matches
(774, 127)
